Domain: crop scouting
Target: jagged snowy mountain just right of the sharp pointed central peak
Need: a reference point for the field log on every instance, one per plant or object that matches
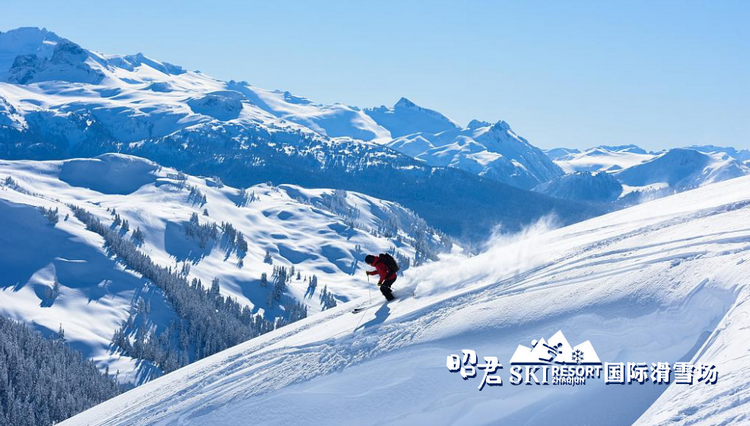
(489, 150)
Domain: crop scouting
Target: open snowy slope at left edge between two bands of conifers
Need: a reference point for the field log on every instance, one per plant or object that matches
(95, 296)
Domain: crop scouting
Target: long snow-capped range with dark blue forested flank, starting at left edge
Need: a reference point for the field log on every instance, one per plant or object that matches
(59, 100)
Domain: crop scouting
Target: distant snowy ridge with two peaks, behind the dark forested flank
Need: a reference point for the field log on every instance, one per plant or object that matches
(495, 152)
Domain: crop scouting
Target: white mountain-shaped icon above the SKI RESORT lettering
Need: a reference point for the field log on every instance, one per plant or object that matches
(556, 350)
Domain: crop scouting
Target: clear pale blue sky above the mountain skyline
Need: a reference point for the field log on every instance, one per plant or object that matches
(654, 73)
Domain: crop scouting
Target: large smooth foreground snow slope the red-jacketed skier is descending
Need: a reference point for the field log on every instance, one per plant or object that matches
(659, 282)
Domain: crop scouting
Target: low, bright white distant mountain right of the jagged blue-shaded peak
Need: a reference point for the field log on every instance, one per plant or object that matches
(600, 158)
